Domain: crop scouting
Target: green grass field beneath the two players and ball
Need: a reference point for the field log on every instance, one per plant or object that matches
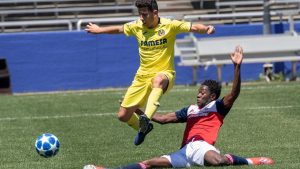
(265, 121)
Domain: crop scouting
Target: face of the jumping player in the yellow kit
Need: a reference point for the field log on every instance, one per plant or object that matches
(147, 16)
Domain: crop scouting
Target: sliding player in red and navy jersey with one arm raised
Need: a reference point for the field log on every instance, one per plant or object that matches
(203, 121)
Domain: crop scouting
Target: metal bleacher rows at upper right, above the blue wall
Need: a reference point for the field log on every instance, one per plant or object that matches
(248, 11)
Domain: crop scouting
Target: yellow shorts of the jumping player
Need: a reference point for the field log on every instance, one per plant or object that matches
(137, 94)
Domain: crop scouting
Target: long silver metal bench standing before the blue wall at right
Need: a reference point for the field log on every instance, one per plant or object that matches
(257, 49)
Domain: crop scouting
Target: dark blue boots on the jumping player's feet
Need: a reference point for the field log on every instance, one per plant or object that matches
(145, 127)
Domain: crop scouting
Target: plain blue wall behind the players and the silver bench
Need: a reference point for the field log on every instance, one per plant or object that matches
(76, 60)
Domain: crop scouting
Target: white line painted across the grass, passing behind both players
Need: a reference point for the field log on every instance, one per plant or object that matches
(114, 114)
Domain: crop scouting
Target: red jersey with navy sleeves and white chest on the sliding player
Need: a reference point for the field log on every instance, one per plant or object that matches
(202, 123)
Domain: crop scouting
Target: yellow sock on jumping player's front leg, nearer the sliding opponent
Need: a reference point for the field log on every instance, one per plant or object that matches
(153, 102)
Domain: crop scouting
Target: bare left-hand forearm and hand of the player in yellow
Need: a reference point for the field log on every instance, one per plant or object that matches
(95, 29)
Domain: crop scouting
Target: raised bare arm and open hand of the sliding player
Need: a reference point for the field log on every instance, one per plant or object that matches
(236, 58)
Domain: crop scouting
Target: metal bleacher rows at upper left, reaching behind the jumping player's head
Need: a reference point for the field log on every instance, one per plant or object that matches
(33, 15)
